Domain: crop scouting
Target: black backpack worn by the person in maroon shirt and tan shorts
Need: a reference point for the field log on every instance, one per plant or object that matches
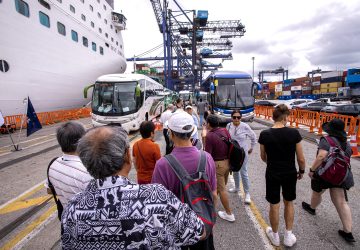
(236, 152)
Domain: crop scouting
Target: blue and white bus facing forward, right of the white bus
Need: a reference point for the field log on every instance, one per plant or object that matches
(232, 90)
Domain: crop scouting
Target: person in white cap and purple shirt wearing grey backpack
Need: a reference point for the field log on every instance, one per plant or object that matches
(186, 165)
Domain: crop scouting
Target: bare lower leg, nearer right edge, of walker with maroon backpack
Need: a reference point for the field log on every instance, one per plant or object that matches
(338, 198)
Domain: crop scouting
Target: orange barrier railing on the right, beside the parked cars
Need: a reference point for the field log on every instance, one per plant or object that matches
(314, 120)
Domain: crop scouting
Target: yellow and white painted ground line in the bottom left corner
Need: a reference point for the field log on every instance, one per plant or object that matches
(29, 230)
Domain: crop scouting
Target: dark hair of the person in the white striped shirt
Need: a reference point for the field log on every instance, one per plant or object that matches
(68, 136)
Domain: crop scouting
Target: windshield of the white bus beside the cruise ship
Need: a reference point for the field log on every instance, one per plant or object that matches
(114, 98)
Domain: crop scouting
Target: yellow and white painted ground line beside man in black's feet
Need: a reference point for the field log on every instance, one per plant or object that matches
(256, 218)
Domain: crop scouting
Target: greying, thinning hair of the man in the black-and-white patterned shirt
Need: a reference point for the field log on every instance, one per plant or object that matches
(103, 150)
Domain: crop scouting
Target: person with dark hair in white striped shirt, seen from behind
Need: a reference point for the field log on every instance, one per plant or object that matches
(66, 175)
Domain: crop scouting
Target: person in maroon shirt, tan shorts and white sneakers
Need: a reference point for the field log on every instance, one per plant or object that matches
(219, 150)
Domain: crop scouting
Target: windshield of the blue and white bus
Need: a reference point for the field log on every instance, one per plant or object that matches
(234, 93)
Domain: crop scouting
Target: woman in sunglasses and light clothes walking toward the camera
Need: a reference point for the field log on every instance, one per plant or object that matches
(241, 132)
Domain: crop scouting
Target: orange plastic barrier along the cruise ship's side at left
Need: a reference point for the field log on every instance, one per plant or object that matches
(47, 118)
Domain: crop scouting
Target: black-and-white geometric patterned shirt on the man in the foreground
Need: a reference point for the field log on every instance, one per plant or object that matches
(117, 214)
